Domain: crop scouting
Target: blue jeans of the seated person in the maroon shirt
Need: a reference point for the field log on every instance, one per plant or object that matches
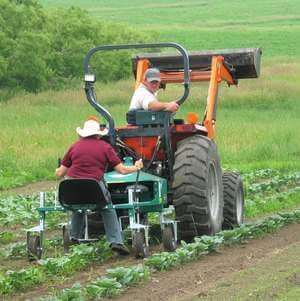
(110, 220)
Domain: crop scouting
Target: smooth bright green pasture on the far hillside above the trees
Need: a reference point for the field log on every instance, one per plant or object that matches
(202, 24)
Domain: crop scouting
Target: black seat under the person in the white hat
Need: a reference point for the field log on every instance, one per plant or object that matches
(81, 194)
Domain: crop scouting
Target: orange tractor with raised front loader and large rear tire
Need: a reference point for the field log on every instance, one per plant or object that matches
(183, 154)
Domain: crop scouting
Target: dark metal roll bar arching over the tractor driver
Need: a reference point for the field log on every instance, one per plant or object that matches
(90, 78)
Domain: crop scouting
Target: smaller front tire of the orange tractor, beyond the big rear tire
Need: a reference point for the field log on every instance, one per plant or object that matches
(233, 200)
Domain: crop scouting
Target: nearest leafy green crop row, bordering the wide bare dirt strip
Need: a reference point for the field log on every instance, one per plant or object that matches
(118, 279)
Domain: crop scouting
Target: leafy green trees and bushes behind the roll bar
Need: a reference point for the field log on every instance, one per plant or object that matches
(44, 49)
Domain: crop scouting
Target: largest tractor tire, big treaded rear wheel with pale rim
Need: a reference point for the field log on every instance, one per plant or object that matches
(197, 187)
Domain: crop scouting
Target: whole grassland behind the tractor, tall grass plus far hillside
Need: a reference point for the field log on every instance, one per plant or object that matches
(258, 122)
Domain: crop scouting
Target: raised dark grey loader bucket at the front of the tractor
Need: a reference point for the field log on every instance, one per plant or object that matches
(244, 62)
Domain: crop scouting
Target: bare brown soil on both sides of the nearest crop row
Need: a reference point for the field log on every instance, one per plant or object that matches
(241, 272)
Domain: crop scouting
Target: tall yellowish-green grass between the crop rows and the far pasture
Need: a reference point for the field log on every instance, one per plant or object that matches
(257, 123)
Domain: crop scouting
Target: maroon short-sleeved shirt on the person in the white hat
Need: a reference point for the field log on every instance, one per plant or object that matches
(89, 157)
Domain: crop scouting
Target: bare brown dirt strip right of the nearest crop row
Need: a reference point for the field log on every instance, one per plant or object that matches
(203, 279)
